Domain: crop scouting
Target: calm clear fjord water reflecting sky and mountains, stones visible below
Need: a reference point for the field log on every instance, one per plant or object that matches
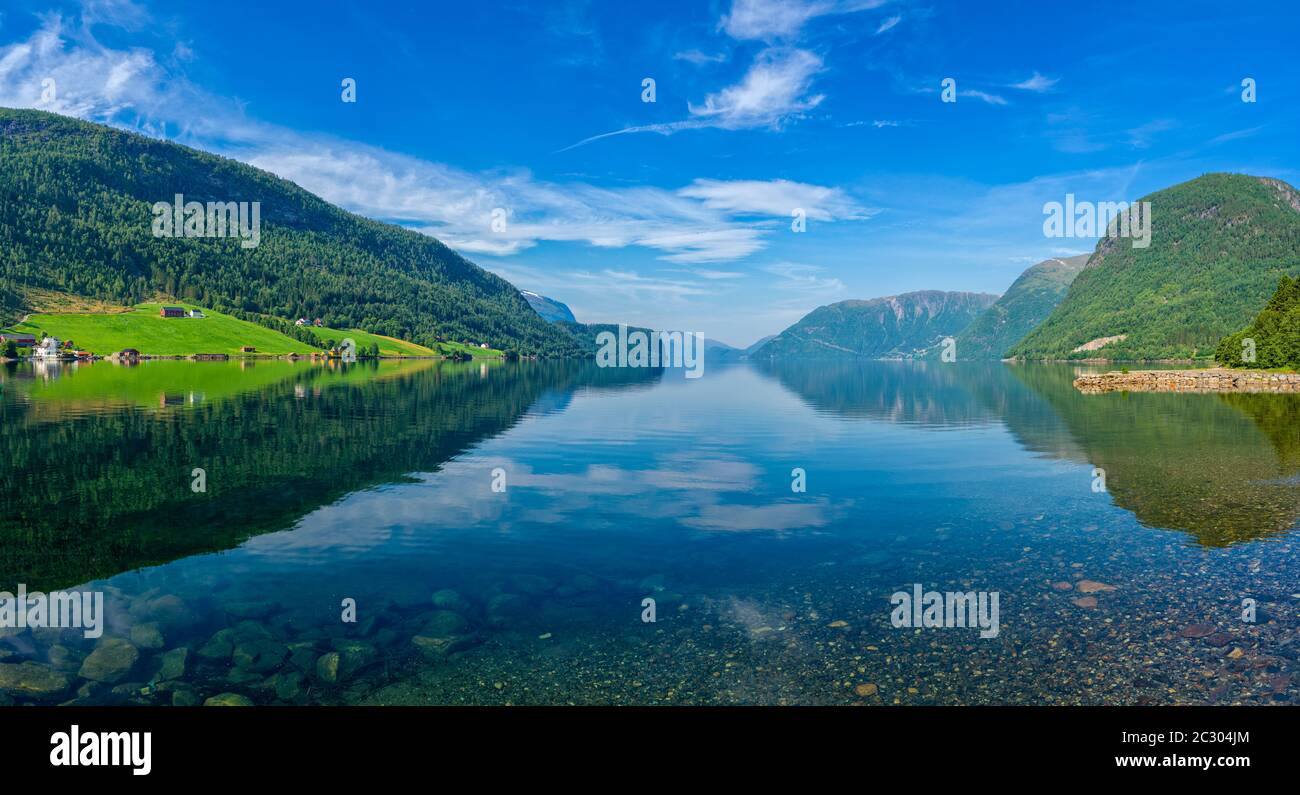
(376, 484)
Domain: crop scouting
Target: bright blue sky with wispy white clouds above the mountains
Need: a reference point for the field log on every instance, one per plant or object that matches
(678, 214)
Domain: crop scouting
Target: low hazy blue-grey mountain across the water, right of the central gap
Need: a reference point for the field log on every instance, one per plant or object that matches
(898, 327)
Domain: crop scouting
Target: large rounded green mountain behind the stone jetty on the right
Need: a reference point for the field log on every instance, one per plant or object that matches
(1219, 246)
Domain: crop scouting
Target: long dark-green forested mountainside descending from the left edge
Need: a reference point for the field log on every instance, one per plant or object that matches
(76, 216)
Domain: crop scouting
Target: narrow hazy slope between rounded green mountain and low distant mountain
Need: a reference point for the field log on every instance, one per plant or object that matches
(1026, 303)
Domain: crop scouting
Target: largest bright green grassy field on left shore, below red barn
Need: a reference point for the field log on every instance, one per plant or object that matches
(142, 329)
